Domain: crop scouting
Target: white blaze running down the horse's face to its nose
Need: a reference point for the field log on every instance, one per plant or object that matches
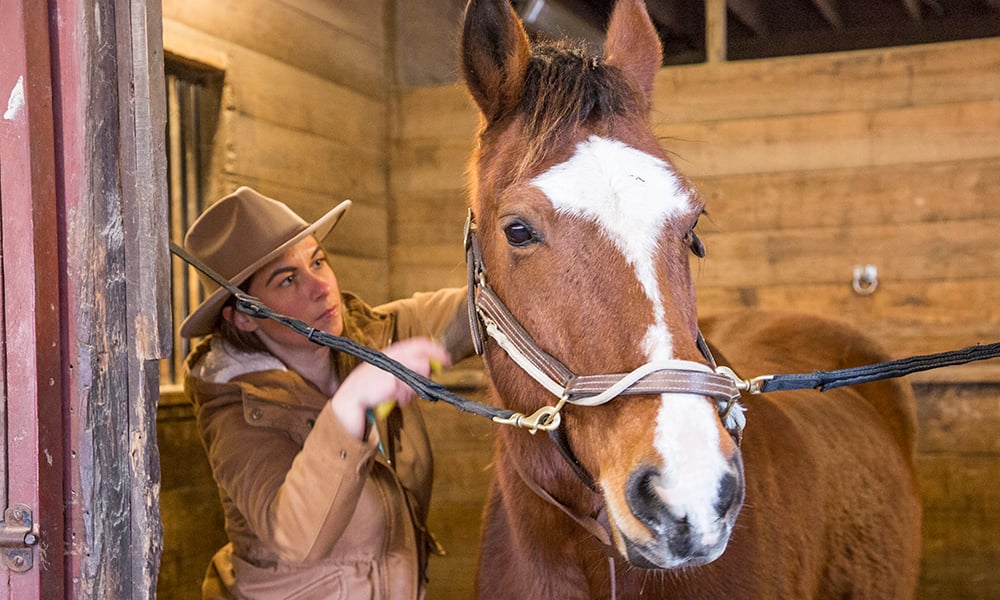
(631, 195)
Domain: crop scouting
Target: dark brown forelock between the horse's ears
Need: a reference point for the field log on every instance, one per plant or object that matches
(567, 89)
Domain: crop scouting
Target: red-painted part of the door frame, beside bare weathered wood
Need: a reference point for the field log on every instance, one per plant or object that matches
(33, 389)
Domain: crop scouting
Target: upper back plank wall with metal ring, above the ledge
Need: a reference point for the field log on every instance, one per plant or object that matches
(811, 166)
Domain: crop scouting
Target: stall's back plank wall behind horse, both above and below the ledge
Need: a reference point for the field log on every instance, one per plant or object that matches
(811, 165)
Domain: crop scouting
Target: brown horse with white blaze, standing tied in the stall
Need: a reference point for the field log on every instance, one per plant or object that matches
(583, 228)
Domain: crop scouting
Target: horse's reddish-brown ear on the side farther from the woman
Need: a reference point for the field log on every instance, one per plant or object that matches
(633, 45)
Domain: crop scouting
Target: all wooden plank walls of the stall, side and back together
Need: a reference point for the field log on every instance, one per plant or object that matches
(811, 165)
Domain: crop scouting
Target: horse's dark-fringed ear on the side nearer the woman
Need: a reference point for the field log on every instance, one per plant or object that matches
(495, 53)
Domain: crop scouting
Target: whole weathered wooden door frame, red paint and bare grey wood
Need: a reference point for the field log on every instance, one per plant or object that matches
(83, 272)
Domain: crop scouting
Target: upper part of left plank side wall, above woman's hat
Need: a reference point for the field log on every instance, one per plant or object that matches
(304, 112)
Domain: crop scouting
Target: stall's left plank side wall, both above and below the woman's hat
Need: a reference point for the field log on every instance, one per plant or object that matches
(303, 118)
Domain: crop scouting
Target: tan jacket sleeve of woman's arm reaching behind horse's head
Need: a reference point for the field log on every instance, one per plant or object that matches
(441, 315)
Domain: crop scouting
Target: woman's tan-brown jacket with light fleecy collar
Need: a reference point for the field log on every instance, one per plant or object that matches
(312, 512)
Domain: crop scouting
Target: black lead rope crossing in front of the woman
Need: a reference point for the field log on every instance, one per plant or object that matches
(424, 387)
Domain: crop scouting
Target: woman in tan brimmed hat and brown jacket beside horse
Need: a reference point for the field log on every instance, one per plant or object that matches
(319, 501)
